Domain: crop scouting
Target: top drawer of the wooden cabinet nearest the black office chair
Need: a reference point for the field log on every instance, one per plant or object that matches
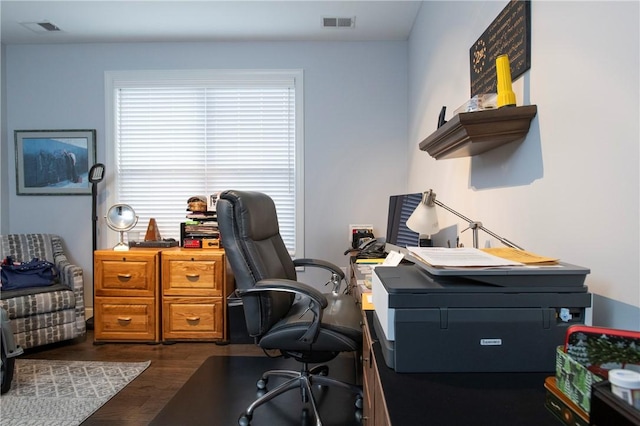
(196, 275)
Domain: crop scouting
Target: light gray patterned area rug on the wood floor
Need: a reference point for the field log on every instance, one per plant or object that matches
(62, 393)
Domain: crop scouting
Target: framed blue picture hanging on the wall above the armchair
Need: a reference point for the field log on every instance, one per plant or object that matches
(54, 162)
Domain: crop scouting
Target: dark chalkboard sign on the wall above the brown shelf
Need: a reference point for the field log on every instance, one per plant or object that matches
(509, 33)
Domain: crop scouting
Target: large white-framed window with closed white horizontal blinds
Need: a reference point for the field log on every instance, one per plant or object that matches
(172, 135)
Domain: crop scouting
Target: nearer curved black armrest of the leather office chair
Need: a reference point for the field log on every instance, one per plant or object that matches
(317, 301)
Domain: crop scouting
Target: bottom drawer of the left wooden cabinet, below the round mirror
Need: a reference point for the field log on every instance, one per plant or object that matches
(125, 318)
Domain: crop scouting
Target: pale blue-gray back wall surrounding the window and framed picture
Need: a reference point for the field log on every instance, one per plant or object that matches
(355, 126)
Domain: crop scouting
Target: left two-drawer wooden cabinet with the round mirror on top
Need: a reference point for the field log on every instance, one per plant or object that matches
(126, 303)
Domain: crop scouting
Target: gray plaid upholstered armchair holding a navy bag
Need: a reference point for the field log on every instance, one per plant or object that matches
(42, 315)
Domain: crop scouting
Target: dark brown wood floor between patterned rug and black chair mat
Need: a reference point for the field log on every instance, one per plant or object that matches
(171, 366)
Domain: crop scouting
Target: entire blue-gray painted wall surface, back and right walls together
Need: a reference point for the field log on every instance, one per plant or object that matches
(570, 189)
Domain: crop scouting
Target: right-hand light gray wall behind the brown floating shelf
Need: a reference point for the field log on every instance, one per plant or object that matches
(571, 188)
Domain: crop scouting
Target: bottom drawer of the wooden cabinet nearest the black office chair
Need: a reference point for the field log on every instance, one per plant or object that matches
(193, 319)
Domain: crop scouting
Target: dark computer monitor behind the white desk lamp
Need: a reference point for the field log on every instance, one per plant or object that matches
(400, 208)
